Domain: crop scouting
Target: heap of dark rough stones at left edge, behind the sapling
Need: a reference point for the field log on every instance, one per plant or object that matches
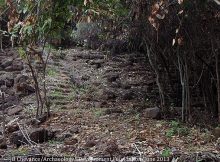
(14, 80)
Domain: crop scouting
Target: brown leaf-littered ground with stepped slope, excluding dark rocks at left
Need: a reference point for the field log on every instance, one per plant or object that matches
(98, 110)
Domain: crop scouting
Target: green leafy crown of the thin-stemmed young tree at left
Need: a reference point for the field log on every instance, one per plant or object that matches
(42, 19)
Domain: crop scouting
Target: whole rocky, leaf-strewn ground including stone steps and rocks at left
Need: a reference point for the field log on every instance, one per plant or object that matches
(103, 105)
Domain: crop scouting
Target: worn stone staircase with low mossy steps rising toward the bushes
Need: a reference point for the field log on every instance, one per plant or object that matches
(90, 79)
